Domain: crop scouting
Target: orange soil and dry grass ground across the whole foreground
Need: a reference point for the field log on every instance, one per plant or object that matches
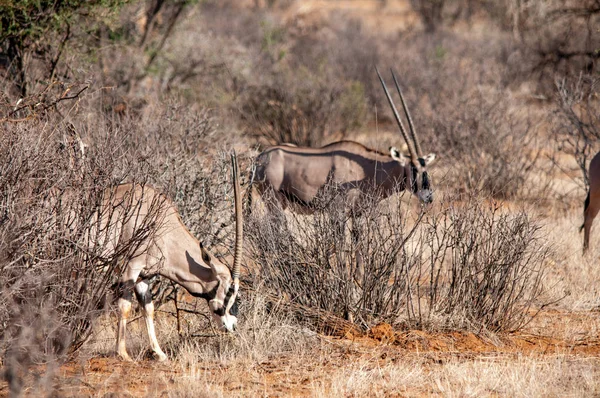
(557, 355)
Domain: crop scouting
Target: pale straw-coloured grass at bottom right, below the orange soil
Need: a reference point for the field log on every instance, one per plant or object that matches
(478, 377)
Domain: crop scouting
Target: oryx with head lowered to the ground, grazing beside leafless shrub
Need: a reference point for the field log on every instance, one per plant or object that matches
(173, 253)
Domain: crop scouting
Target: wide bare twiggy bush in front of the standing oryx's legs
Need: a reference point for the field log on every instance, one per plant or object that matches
(470, 266)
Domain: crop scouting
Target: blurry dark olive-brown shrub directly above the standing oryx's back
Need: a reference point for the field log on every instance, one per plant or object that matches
(302, 109)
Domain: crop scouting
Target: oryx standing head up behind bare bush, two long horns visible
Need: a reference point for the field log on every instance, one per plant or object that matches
(298, 174)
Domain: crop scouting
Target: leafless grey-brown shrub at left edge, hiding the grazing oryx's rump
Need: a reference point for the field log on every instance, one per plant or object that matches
(56, 264)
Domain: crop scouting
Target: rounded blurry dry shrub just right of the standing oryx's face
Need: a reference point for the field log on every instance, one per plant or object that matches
(494, 144)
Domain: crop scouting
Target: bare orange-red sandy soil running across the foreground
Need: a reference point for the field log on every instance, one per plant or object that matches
(283, 375)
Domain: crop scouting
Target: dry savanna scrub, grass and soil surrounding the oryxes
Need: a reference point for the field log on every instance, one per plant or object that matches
(485, 292)
